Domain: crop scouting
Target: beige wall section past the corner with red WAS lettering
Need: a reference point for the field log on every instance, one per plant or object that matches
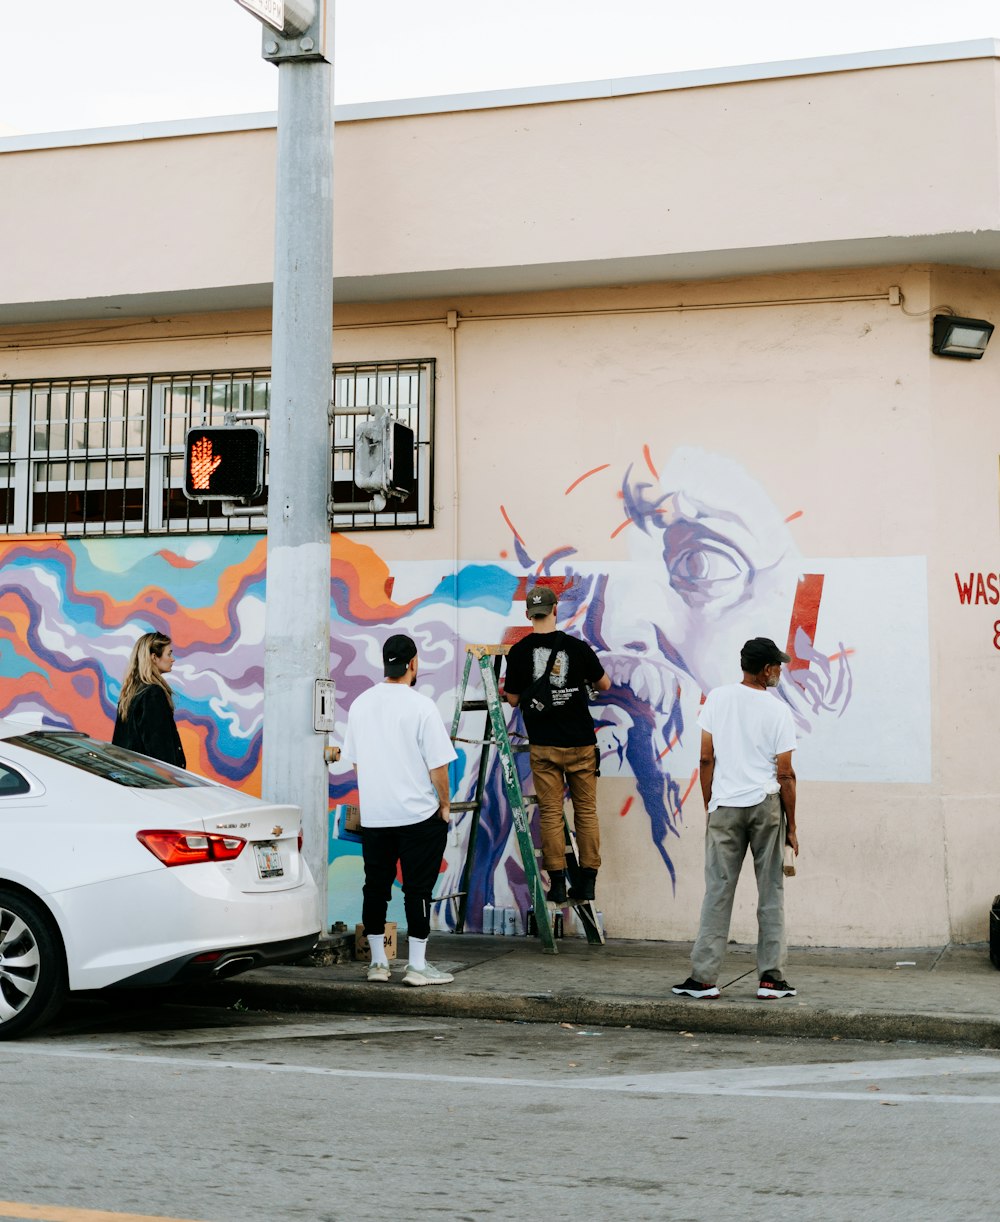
(965, 443)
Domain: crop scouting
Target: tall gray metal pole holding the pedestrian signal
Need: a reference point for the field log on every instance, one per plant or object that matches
(298, 609)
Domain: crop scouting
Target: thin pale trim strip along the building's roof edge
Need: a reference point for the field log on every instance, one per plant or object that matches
(529, 96)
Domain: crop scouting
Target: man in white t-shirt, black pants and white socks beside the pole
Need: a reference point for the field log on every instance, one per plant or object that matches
(402, 752)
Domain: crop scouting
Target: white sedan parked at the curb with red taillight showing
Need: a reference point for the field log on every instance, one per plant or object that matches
(119, 871)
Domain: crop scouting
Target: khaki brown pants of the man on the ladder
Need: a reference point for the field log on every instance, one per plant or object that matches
(554, 768)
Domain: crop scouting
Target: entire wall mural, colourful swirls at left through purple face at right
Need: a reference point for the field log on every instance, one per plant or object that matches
(712, 562)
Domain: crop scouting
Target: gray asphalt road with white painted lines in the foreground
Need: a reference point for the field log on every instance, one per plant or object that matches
(229, 1118)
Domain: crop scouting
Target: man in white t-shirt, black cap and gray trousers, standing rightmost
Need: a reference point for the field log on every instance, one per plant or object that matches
(749, 786)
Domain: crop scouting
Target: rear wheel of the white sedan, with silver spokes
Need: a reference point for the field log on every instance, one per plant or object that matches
(32, 966)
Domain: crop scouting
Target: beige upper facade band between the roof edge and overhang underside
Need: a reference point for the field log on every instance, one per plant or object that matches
(805, 169)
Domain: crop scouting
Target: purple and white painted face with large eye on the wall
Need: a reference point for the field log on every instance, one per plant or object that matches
(712, 564)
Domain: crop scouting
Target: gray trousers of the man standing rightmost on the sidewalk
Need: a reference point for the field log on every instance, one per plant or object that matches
(730, 832)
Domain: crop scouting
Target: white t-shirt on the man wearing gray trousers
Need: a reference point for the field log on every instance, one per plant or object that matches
(749, 729)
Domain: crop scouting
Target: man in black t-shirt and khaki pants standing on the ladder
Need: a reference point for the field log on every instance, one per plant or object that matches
(548, 678)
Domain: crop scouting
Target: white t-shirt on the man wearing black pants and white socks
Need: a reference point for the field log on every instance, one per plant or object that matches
(394, 737)
